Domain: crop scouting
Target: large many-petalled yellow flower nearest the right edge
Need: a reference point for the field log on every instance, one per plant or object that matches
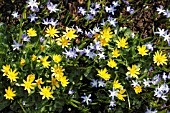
(159, 58)
